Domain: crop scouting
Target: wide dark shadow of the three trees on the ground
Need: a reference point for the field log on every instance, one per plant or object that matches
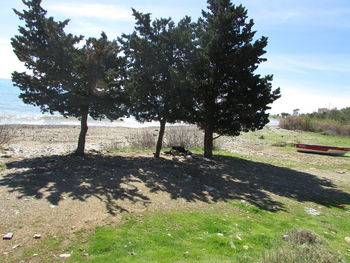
(115, 179)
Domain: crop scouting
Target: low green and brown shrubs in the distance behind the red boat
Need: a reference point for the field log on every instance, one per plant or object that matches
(332, 122)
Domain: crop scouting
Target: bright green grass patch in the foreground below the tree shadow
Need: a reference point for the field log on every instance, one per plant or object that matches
(214, 234)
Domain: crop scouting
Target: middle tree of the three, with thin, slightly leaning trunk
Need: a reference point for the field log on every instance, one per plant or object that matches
(156, 60)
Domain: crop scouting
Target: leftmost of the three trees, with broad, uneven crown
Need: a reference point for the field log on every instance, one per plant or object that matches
(64, 78)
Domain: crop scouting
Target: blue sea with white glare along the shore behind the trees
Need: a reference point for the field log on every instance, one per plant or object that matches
(14, 111)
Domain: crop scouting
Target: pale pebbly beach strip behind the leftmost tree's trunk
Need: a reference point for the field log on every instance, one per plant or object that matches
(41, 140)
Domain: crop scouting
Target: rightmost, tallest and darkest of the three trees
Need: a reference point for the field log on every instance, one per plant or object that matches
(229, 97)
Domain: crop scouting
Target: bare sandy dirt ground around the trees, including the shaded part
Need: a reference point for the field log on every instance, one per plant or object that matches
(46, 191)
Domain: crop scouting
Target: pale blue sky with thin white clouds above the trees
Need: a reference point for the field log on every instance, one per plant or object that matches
(308, 51)
